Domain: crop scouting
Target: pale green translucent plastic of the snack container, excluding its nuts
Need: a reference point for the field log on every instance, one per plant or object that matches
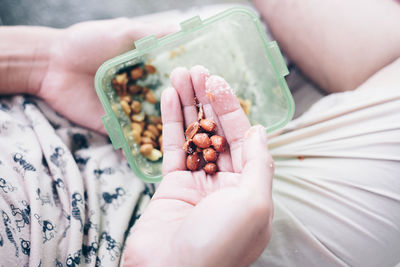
(229, 46)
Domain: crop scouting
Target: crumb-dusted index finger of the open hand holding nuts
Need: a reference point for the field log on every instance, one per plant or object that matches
(233, 120)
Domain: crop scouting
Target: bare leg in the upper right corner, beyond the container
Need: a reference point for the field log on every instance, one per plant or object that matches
(339, 44)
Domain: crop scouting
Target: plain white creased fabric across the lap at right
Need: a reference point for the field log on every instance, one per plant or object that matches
(337, 182)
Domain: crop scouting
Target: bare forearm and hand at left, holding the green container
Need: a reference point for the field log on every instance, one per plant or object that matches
(58, 65)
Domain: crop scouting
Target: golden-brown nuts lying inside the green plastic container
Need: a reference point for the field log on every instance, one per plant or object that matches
(146, 129)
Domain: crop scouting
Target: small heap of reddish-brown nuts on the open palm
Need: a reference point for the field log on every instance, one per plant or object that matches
(202, 145)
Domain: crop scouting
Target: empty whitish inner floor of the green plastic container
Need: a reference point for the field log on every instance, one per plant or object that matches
(233, 49)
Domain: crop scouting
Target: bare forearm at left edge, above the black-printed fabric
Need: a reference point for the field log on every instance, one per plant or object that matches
(24, 58)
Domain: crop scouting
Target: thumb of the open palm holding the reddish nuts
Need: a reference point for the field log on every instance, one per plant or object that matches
(258, 164)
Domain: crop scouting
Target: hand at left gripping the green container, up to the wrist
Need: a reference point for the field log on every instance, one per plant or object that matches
(75, 56)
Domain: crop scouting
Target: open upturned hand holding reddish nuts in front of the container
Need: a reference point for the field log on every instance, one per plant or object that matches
(195, 219)
